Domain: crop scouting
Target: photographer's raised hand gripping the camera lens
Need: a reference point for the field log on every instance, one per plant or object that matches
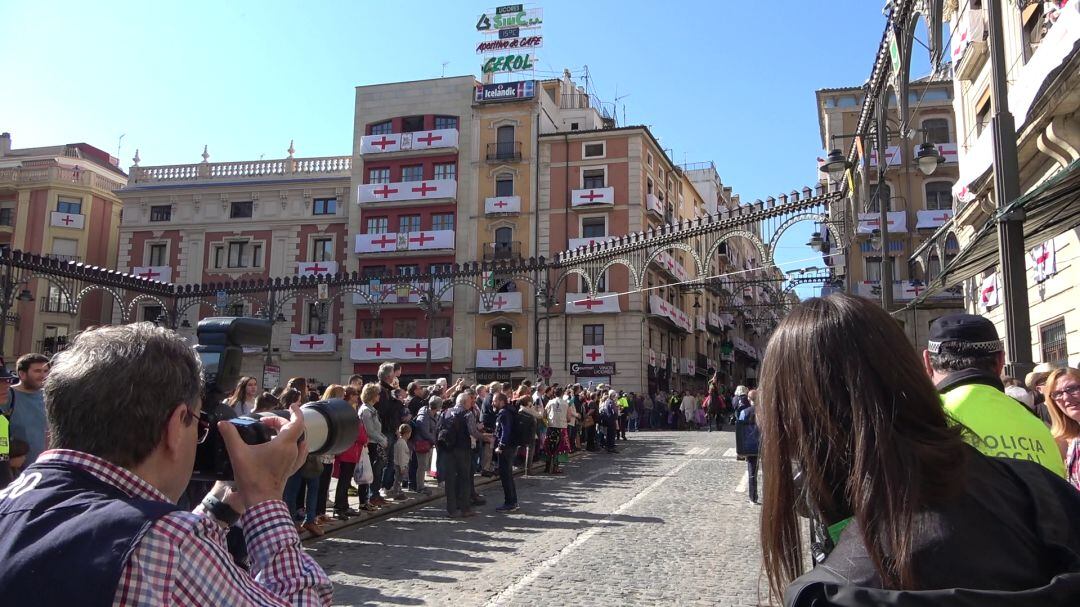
(261, 471)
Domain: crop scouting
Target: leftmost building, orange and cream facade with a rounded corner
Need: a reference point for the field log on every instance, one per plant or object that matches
(58, 201)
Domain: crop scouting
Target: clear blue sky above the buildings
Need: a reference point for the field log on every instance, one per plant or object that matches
(727, 82)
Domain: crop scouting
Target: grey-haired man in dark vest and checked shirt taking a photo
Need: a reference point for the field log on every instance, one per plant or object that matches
(103, 502)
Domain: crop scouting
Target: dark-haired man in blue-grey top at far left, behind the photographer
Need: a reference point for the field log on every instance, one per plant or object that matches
(26, 406)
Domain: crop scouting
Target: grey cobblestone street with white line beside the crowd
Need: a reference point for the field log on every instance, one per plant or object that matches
(667, 520)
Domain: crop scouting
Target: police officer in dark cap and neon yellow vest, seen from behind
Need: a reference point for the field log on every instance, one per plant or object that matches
(965, 359)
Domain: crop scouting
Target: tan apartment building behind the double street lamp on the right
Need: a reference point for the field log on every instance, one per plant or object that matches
(917, 205)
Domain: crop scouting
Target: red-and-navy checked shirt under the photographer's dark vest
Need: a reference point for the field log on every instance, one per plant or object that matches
(183, 560)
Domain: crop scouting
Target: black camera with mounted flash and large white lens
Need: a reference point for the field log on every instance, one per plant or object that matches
(331, 427)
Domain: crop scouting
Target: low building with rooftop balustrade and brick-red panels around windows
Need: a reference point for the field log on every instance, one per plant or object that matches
(223, 222)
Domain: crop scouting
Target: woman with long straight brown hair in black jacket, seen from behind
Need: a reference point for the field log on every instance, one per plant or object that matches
(846, 403)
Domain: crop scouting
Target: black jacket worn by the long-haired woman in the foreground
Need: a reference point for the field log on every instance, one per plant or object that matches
(1012, 537)
